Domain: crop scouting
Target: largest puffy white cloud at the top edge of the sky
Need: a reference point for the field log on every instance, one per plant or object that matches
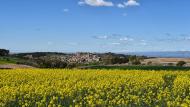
(95, 3)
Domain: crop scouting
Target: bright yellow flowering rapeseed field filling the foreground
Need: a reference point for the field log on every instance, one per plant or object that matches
(93, 88)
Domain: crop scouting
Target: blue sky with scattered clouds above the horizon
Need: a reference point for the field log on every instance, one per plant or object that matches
(95, 25)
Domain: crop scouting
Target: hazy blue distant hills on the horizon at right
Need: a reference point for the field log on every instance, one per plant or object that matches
(175, 54)
